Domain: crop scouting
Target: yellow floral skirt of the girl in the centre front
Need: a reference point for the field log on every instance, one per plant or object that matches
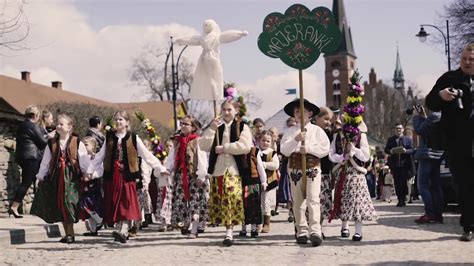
(225, 202)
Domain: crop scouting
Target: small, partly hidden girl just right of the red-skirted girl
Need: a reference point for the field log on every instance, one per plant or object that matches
(165, 192)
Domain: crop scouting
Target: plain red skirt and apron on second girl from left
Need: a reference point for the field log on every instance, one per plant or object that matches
(120, 198)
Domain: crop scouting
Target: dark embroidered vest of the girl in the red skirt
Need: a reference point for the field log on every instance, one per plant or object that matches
(129, 156)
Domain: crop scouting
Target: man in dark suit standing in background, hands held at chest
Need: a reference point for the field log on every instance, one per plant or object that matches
(400, 149)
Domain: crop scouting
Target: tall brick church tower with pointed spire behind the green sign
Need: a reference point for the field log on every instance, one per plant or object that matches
(340, 64)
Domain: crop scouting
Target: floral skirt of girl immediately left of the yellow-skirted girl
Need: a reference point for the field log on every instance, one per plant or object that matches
(184, 209)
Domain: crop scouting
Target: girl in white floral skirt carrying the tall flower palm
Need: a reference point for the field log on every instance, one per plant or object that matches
(352, 200)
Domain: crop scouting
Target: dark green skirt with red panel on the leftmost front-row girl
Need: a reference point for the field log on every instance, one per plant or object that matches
(57, 199)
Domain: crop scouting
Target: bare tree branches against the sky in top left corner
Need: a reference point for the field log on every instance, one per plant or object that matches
(14, 25)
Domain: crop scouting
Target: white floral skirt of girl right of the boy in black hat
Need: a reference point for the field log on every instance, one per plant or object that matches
(356, 203)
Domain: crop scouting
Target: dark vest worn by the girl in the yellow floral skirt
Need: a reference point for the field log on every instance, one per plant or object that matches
(235, 128)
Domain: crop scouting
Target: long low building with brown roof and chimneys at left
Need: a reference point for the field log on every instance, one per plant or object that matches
(17, 94)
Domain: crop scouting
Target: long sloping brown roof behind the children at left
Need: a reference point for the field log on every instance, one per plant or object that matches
(20, 93)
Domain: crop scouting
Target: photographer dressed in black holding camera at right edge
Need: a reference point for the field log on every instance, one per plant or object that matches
(452, 94)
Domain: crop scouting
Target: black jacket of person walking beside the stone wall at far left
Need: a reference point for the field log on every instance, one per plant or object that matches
(30, 141)
